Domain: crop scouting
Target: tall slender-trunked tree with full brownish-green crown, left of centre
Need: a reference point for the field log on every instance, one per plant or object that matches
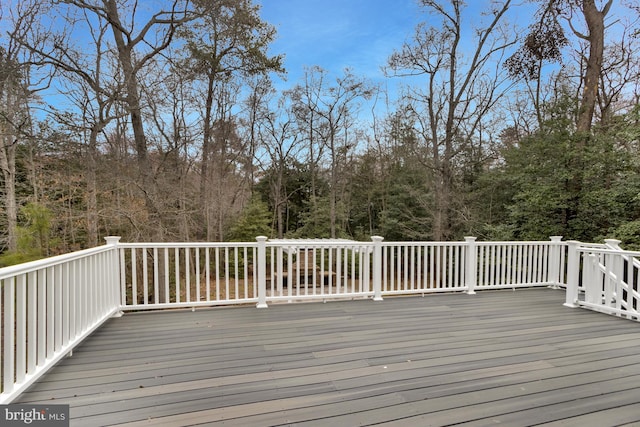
(227, 41)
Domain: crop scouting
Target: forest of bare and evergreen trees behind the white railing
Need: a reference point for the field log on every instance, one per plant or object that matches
(162, 121)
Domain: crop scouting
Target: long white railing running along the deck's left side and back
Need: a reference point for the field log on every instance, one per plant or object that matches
(49, 306)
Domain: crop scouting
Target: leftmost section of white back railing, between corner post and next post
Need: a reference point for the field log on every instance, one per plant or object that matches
(170, 275)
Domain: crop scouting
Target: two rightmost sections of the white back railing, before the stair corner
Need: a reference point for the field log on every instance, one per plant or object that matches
(469, 266)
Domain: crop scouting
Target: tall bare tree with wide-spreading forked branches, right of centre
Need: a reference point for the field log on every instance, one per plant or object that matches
(460, 89)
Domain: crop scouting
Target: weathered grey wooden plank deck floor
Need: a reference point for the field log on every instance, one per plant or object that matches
(503, 357)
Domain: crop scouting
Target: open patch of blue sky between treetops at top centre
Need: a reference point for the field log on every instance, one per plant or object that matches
(334, 34)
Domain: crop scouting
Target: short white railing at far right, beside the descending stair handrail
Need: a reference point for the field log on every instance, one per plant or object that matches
(604, 278)
